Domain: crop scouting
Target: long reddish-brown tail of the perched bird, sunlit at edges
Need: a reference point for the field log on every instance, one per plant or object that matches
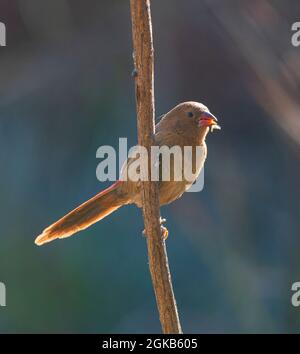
(85, 215)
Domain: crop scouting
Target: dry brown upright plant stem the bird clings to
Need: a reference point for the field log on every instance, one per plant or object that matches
(144, 85)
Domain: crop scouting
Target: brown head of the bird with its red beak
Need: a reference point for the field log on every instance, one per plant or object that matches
(192, 119)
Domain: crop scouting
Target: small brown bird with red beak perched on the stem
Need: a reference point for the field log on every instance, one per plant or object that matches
(187, 124)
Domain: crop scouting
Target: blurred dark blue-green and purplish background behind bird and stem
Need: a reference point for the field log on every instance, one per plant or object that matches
(66, 88)
